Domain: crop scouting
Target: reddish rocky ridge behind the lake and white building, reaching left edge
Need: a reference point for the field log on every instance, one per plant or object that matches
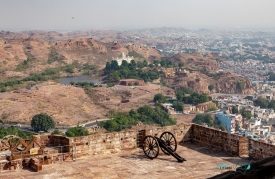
(25, 56)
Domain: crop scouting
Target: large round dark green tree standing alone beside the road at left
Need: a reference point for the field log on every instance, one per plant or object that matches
(42, 122)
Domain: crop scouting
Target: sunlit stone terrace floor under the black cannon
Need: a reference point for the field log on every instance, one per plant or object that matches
(200, 162)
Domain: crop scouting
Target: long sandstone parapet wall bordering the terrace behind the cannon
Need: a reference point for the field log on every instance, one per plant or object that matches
(113, 142)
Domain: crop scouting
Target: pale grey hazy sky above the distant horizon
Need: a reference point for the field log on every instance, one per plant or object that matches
(135, 14)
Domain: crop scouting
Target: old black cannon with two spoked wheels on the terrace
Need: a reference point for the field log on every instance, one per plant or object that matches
(167, 143)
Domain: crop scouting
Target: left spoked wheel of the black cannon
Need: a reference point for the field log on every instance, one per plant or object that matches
(150, 147)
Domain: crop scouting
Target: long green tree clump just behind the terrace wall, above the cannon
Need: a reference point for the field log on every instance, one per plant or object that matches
(145, 114)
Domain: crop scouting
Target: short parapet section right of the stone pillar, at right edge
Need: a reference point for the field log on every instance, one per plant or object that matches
(259, 150)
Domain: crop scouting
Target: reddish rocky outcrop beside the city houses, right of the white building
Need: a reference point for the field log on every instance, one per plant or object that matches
(201, 74)
